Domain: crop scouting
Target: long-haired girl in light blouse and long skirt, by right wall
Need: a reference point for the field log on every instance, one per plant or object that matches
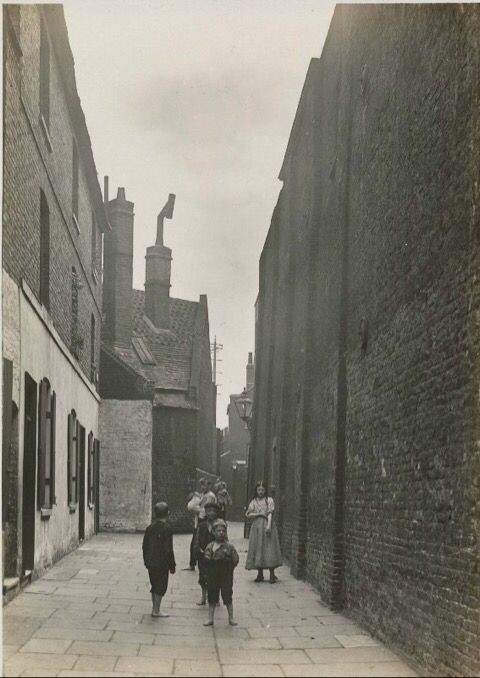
(264, 545)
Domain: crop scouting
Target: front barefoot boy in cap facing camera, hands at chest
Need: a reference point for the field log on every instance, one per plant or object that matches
(221, 559)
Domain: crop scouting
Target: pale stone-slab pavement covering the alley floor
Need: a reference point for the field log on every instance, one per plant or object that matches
(90, 616)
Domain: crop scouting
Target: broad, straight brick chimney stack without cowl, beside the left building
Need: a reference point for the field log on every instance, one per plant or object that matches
(118, 270)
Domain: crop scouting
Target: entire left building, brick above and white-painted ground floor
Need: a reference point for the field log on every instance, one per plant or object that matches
(53, 220)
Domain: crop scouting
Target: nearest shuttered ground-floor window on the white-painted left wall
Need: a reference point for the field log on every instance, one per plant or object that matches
(46, 447)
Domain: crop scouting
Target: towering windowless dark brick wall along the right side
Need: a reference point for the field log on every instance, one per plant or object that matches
(366, 418)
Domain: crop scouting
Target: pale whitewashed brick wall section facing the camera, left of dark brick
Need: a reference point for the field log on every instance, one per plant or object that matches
(125, 470)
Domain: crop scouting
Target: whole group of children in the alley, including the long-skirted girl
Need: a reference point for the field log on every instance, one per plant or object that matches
(215, 555)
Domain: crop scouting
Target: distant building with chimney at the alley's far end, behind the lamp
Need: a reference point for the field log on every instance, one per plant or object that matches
(236, 447)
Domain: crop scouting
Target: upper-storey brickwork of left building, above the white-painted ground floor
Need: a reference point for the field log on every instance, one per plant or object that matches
(30, 167)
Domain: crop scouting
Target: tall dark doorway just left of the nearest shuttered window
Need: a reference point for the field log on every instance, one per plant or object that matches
(29, 472)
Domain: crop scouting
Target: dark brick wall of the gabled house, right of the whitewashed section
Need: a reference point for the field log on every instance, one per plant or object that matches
(173, 462)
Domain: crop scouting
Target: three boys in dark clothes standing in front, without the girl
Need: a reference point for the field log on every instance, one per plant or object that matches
(215, 555)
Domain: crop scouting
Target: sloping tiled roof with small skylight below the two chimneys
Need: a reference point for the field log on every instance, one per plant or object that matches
(171, 349)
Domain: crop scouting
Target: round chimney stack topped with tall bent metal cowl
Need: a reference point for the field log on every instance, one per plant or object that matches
(158, 273)
